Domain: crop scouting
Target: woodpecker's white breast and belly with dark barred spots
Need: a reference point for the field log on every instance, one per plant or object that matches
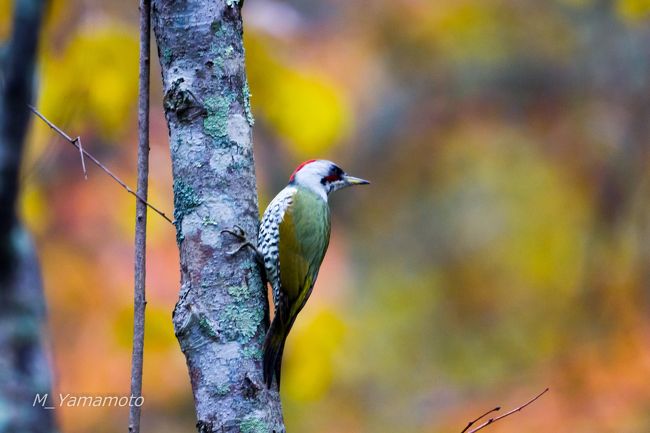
(269, 237)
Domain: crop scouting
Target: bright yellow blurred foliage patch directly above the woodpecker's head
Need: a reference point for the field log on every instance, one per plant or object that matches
(307, 110)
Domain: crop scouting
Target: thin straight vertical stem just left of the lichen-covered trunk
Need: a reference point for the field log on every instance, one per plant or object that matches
(139, 298)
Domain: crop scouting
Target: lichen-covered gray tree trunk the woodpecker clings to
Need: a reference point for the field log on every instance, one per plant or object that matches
(222, 313)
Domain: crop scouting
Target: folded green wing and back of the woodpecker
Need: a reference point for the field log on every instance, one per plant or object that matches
(304, 237)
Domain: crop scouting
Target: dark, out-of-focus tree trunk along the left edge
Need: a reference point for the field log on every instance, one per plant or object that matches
(24, 370)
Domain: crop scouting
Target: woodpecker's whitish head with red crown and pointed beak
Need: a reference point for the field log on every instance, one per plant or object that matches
(323, 177)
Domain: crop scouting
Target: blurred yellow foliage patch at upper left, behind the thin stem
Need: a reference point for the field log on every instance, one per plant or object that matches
(86, 81)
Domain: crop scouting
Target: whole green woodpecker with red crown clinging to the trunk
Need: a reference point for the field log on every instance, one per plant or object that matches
(293, 238)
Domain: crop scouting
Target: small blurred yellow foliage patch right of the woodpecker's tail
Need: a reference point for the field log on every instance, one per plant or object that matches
(310, 353)
